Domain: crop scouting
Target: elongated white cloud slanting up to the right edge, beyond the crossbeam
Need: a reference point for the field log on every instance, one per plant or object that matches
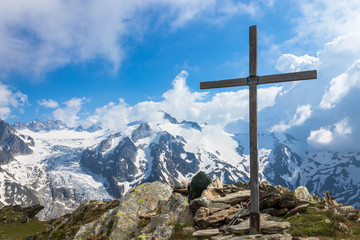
(341, 85)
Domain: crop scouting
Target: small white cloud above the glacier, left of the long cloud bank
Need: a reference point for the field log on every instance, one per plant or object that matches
(69, 114)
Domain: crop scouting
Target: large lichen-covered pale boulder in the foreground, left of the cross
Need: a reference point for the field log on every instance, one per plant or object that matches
(122, 222)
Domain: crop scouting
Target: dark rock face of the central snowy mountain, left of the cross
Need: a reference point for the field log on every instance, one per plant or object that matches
(119, 164)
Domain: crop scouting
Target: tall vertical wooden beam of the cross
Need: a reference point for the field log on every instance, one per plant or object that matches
(254, 167)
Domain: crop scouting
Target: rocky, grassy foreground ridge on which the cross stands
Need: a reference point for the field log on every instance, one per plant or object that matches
(159, 211)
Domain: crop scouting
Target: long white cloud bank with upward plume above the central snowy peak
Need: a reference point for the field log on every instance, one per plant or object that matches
(184, 104)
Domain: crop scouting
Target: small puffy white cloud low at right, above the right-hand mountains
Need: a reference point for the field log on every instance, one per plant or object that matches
(330, 135)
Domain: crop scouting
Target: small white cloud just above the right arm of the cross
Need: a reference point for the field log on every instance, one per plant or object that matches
(292, 63)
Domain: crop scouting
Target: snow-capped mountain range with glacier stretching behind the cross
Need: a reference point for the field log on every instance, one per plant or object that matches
(67, 166)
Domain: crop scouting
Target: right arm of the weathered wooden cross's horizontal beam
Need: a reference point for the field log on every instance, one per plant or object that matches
(287, 77)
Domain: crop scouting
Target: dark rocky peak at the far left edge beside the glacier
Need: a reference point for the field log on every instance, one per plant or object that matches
(12, 143)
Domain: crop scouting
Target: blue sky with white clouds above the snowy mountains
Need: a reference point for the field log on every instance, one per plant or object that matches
(111, 62)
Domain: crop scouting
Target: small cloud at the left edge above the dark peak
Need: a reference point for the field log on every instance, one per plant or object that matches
(10, 99)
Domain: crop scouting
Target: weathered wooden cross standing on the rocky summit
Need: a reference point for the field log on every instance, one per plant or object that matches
(253, 80)
